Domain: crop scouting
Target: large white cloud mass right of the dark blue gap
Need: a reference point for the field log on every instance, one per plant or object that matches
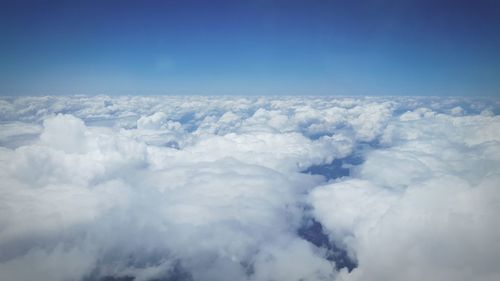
(423, 208)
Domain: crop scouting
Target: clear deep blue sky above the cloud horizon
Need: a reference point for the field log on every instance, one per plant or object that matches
(387, 47)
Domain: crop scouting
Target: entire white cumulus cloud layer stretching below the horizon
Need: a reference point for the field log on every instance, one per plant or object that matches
(219, 188)
